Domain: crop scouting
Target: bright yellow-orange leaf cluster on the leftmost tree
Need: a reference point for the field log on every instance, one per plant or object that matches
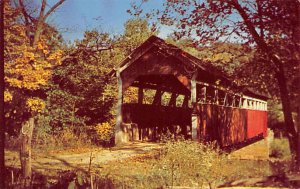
(30, 68)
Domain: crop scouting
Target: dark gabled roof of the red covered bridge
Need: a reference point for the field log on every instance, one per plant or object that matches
(208, 72)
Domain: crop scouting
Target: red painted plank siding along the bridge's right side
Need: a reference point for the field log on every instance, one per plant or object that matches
(229, 125)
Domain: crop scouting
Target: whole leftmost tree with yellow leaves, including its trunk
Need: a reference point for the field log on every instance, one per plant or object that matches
(29, 58)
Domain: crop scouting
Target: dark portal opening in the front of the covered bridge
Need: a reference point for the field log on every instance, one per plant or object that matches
(156, 107)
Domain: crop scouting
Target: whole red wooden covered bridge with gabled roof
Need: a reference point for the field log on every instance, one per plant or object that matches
(203, 103)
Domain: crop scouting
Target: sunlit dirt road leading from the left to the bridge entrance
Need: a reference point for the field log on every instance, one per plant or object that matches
(71, 160)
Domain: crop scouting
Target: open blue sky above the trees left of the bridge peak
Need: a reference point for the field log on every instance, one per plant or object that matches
(74, 17)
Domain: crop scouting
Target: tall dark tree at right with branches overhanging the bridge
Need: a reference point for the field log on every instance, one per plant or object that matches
(271, 27)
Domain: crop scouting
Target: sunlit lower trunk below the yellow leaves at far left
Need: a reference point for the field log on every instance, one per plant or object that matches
(25, 150)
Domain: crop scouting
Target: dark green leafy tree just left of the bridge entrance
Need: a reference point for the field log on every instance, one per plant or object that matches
(76, 97)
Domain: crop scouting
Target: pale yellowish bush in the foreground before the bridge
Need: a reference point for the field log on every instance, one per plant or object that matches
(188, 163)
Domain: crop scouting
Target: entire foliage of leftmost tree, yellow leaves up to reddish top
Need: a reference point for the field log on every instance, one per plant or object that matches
(26, 67)
